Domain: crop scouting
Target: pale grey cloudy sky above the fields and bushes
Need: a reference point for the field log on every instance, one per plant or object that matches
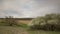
(28, 8)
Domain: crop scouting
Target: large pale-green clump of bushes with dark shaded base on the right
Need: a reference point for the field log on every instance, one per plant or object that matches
(48, 22)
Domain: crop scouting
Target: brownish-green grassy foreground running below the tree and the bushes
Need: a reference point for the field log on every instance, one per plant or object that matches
(21, 30)
